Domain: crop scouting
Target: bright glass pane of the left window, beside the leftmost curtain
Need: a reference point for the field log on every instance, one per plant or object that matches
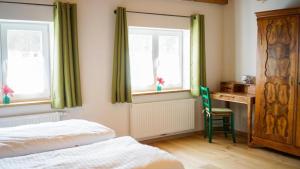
(25, 62)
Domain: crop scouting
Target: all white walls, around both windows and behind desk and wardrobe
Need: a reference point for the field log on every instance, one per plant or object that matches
(230, 42)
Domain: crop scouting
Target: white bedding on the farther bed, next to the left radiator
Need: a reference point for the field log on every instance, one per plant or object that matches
(35, 138)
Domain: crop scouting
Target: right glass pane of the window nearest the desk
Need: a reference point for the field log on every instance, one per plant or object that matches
(169, 63)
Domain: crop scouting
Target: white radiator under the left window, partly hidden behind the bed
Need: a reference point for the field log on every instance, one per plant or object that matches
(30, 119)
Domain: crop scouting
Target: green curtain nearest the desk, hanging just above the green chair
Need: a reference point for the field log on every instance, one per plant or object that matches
(198, 66)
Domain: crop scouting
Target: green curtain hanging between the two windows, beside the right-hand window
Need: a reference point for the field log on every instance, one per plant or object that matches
(121, 87)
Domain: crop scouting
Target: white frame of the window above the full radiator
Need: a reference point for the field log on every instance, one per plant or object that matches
(155, 33)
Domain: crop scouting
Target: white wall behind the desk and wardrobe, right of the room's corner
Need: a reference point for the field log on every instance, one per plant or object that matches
(240, 38)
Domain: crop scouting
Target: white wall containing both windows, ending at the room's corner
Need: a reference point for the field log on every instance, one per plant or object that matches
(96, 22)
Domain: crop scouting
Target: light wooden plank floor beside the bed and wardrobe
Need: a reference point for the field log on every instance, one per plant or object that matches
(196, 153)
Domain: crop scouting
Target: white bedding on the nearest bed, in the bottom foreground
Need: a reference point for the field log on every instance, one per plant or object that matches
(118, 153)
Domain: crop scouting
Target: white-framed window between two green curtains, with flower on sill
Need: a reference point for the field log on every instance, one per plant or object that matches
(158, 53)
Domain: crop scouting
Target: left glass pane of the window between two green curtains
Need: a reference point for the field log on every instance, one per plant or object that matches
(141, 65)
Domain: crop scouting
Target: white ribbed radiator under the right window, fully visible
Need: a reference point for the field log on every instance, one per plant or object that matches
(148, 120)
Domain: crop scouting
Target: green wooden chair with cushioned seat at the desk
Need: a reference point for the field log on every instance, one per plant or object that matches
(212, 114)
